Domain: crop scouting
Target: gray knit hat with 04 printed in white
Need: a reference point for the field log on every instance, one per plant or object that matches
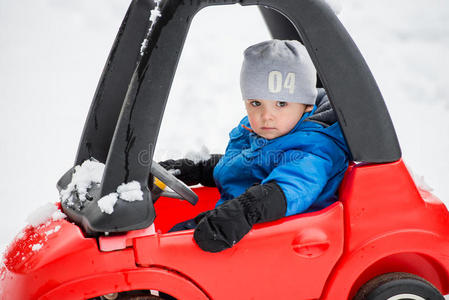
(278, 70)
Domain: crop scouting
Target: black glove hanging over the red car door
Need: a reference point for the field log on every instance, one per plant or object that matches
(228, 223)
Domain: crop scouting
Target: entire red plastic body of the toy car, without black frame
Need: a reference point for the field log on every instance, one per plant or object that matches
(382, 223)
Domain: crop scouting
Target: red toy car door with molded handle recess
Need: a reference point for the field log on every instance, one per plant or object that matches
(289, 258)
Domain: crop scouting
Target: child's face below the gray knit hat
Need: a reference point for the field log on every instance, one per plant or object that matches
(271, 119)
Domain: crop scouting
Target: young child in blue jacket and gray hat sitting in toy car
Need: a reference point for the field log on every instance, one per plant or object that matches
(287, 156)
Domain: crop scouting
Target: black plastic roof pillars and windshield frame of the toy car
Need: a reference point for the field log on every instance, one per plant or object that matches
(125, 116)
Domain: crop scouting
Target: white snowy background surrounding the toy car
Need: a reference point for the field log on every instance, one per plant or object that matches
(52, 54)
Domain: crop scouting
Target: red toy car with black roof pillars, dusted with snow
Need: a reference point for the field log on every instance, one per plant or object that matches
(383, 239)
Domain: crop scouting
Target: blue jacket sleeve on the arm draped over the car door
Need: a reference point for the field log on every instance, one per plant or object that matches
(303, 174)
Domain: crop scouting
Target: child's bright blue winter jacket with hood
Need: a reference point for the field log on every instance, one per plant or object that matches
(308, 163)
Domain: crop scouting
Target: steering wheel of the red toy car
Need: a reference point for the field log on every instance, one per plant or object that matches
(181, 190)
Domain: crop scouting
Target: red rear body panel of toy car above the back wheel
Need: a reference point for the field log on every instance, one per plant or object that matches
(390, 226)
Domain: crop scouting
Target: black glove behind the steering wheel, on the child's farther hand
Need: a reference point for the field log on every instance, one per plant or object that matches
(193, 173)
